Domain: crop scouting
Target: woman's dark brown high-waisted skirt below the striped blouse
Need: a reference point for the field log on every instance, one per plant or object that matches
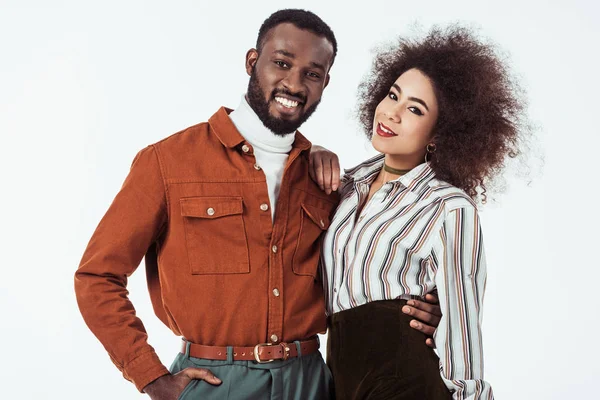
(373, 353)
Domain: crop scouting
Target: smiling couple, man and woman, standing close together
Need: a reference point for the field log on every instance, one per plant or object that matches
(234, 230)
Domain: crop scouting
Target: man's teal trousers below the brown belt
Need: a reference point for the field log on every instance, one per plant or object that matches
(300, 378)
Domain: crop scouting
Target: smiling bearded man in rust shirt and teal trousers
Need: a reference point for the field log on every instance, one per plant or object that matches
(229, 222)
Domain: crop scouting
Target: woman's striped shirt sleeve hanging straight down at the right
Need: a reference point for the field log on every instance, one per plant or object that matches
(460, 277)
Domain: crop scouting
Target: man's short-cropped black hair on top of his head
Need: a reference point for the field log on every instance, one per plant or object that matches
(302, 19)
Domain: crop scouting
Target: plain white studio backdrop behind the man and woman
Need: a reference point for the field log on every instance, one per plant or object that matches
(85, 85)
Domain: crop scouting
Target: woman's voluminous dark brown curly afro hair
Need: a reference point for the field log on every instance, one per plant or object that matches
(481, 107)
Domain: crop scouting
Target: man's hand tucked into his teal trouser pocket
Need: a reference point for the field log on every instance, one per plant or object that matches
(170, 387)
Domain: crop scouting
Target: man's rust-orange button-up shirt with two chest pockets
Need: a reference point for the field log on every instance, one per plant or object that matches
(219, 270)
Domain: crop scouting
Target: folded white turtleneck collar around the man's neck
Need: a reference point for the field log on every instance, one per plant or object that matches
(256, 133)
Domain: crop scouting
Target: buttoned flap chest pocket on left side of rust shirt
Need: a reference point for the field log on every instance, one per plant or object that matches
(215, 235)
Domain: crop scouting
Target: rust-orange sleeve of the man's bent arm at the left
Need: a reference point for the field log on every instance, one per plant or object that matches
(127, 230)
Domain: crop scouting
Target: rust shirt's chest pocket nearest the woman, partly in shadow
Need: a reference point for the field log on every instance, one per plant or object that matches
(313, 221)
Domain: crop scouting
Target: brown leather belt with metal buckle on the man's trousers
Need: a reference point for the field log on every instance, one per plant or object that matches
(261, 353)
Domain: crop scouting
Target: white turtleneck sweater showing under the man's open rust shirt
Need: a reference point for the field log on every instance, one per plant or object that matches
(270, 150)
